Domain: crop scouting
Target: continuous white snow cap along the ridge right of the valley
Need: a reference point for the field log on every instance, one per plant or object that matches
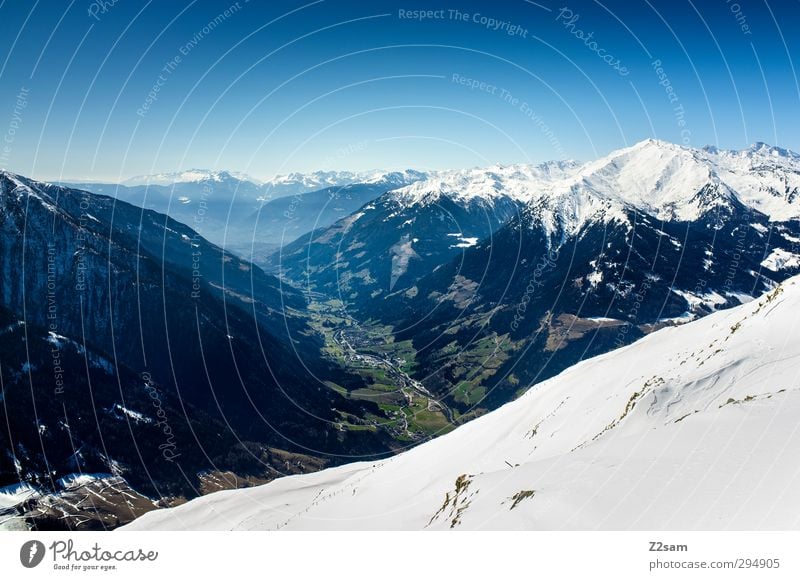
(663, 180)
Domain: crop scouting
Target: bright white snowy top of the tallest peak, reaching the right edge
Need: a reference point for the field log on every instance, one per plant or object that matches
(673, 183)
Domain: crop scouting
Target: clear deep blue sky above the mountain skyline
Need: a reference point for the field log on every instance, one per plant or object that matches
(272, 87)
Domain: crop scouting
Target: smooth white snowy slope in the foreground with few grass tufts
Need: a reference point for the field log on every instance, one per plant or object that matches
(693, 427)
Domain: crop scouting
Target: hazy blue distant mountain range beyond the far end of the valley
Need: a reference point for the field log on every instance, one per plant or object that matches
(249, 217)
